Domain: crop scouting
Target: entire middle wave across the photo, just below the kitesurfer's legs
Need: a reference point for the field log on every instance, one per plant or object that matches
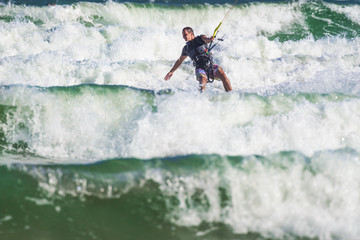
(91, 122)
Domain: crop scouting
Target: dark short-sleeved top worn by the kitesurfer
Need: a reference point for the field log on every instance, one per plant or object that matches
(197, 50)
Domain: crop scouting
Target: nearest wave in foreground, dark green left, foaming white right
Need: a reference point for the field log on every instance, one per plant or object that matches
(285, 195)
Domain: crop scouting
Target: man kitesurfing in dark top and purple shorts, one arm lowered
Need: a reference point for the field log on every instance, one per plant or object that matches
(196, 48)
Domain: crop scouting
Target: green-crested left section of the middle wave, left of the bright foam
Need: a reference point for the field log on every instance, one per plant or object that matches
(71, 122)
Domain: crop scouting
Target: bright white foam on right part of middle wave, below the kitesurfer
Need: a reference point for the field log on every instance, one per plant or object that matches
(246, 126)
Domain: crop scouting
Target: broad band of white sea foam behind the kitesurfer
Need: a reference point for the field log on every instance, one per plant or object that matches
(132, 45)
